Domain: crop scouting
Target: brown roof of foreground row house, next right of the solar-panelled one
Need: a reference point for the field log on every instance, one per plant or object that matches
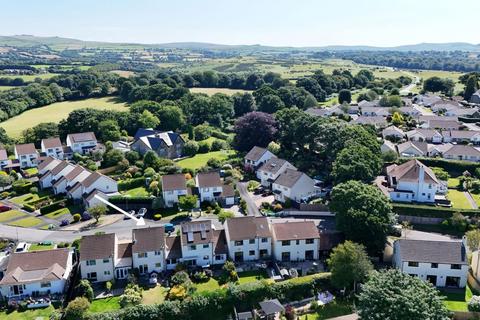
(244, 228)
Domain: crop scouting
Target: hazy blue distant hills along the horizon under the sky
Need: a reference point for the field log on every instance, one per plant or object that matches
(58, 43)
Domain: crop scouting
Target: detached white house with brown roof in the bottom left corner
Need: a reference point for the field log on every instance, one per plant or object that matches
(37, 273)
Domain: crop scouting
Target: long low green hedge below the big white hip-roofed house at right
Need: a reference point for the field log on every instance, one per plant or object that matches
(429, 211)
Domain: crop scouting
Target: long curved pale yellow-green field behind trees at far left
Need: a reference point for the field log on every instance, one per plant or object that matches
(56, 112)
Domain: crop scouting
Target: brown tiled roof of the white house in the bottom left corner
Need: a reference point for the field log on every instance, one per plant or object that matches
(27, 267)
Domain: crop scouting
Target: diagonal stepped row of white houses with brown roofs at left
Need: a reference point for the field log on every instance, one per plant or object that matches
(75, 181)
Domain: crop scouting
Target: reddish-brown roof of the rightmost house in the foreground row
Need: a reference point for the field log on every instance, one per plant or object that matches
(295, 230)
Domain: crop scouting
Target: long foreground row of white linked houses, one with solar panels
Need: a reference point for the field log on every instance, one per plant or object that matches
(105, 257)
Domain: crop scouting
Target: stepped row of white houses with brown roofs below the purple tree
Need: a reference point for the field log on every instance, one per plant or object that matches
(279, 175)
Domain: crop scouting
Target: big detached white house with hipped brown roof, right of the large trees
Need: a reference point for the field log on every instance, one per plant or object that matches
(412, 181)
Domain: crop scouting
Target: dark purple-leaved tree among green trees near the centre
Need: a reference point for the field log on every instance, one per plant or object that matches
(254, 129)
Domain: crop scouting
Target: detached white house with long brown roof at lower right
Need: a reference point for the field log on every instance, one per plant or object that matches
(442, 263)
